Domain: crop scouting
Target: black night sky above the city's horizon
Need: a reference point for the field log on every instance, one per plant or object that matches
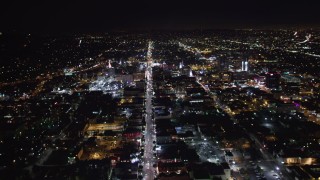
(105, 15)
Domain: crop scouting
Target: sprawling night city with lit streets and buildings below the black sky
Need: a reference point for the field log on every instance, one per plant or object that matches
(227, 104)
